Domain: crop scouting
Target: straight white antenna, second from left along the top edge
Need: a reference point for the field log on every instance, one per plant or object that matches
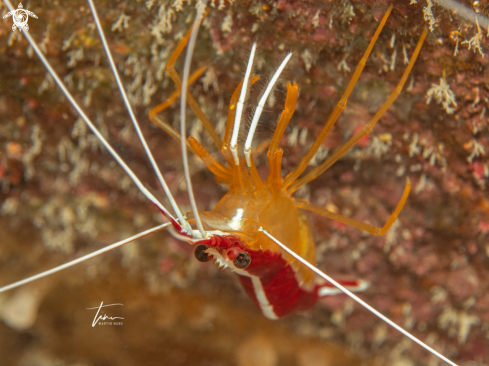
(185, 225)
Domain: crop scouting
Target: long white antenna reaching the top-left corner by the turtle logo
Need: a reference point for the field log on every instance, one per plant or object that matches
(92, 127)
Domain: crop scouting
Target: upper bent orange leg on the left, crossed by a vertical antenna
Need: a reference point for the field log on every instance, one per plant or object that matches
(170, 69)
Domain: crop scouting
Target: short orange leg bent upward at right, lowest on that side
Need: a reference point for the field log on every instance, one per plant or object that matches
(305, 205)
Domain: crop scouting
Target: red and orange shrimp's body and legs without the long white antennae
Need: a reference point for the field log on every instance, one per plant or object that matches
(276, 282)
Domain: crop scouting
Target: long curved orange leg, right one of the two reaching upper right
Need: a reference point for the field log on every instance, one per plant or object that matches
(314, 173)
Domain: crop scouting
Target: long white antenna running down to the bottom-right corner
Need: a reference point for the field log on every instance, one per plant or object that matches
(357, 299)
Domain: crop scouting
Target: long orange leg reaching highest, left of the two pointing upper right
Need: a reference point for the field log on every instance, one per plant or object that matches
(291, 177)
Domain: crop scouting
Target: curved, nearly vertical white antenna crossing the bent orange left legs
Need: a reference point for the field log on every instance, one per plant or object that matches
(183, 121)
